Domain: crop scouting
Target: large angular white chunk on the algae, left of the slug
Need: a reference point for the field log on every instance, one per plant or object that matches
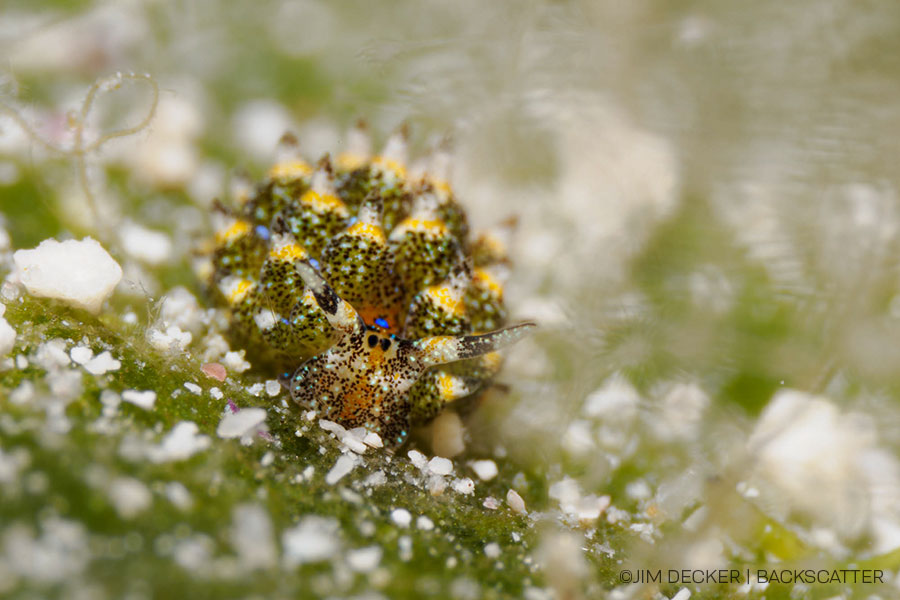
(80, 273)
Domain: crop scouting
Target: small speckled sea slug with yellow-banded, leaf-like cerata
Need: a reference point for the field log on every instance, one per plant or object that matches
(364, 279)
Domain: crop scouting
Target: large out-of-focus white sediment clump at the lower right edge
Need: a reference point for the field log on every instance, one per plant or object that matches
(811, 458)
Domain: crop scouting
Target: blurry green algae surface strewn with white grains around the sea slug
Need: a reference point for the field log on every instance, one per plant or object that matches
(708, 216)
